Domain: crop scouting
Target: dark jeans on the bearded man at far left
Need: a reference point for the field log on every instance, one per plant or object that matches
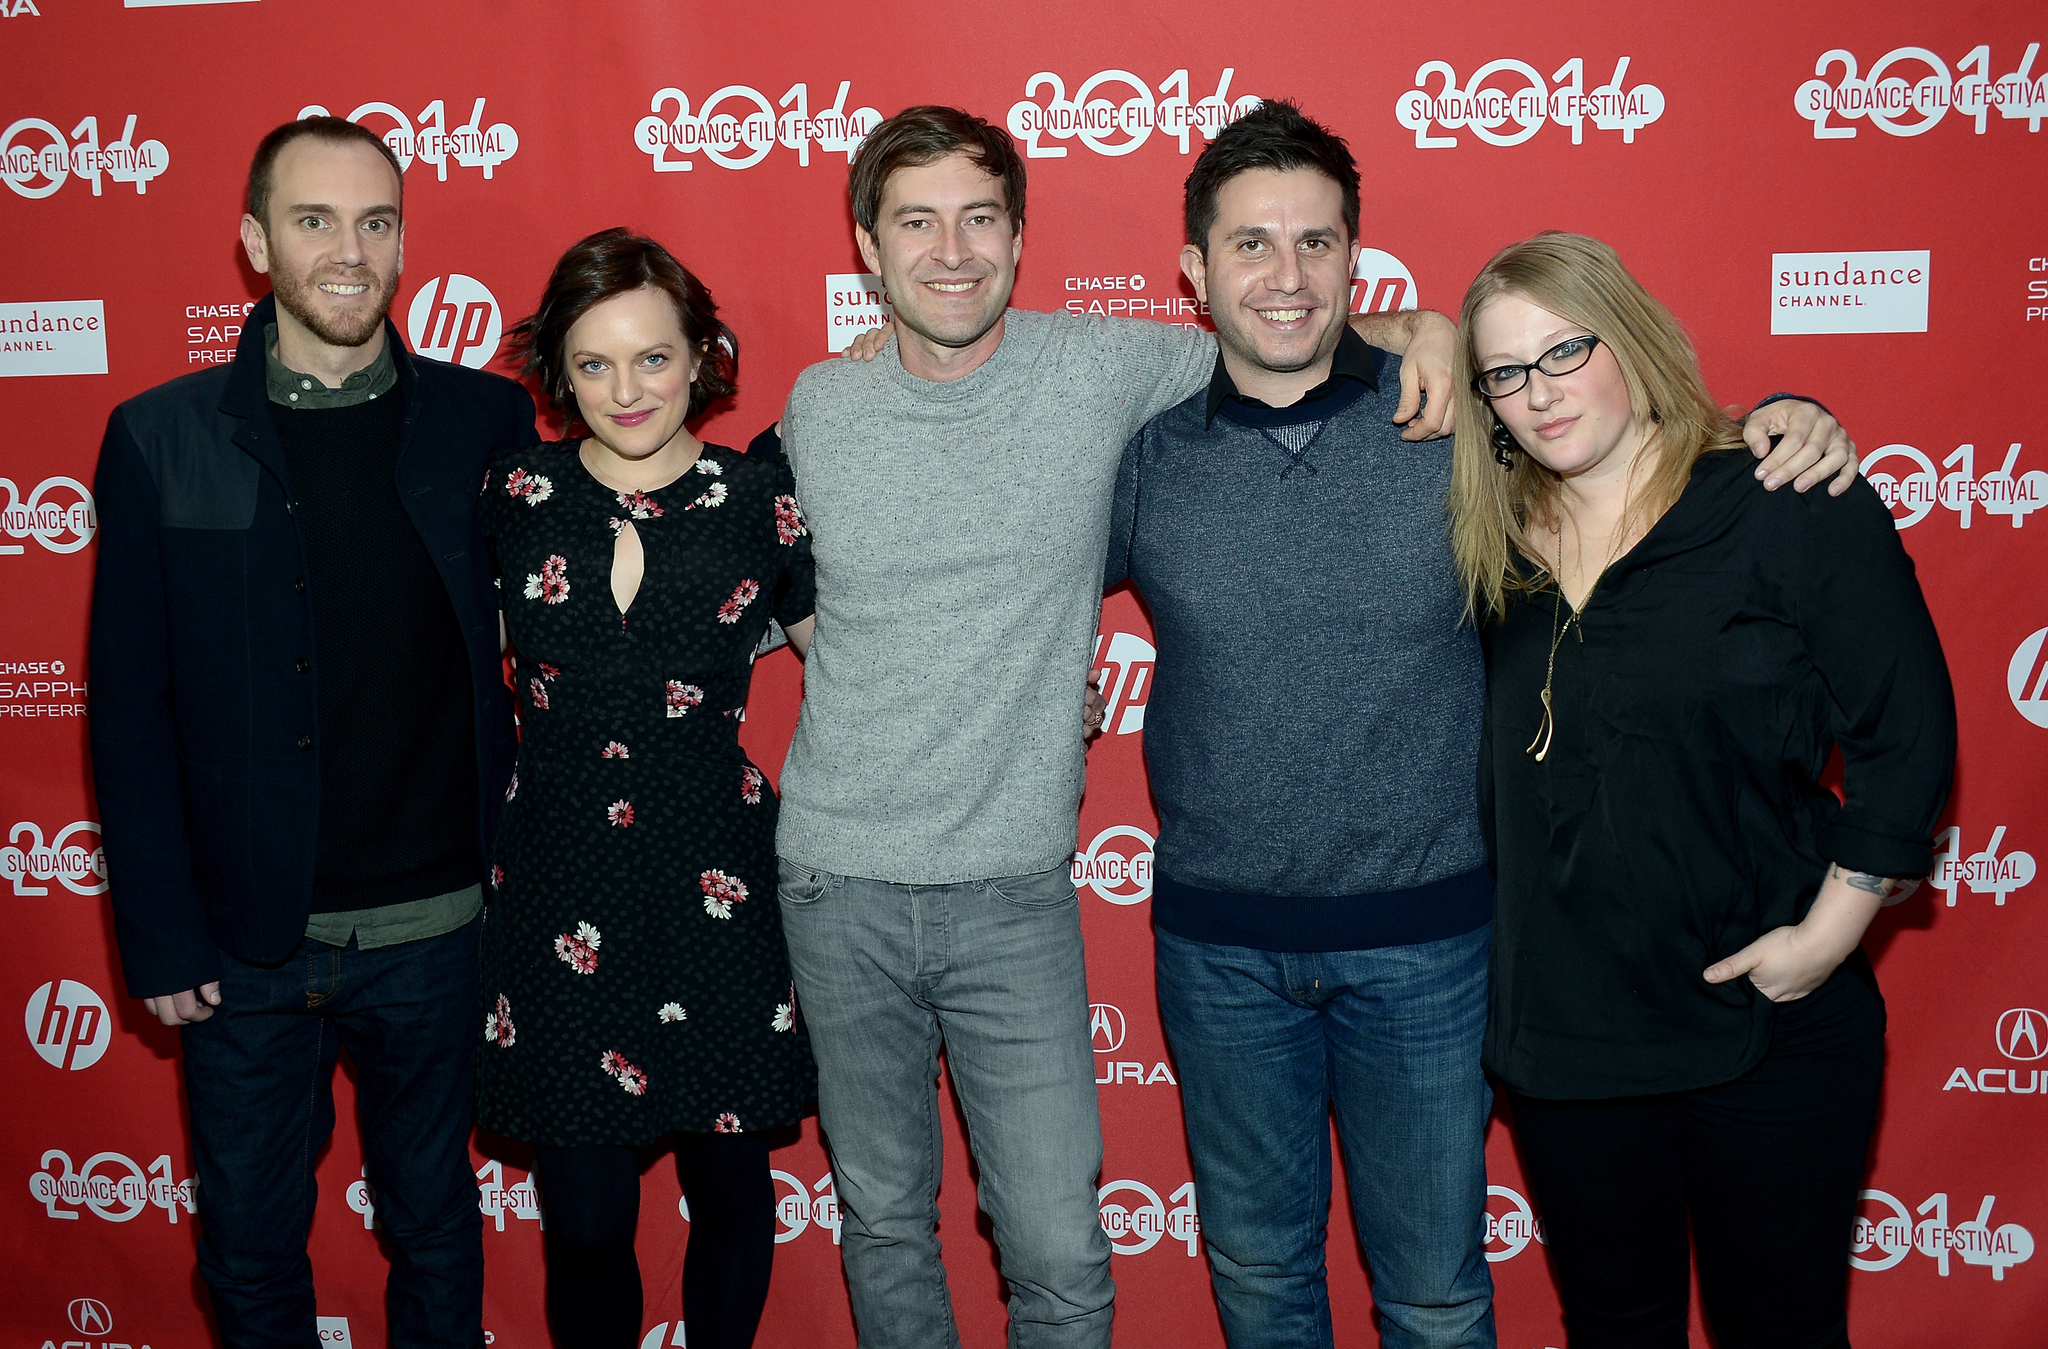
(259, 1076)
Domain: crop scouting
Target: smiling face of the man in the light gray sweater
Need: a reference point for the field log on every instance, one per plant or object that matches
(945, 249)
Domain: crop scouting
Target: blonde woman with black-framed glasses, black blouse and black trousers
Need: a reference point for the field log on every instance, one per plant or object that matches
(1682, 1016)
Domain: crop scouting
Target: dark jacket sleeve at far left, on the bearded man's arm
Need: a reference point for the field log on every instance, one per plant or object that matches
(159, 920)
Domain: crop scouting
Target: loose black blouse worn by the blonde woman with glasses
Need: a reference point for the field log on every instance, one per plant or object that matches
(1678, 814)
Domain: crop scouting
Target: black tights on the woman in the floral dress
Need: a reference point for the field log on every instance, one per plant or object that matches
(591, 1201)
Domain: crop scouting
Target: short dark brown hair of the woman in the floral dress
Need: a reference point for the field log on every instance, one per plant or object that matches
(615, 263)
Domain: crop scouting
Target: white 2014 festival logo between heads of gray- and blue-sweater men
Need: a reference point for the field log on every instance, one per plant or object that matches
(1119, 126)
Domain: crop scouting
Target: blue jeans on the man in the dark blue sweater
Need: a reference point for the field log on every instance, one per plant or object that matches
(1267, 1043)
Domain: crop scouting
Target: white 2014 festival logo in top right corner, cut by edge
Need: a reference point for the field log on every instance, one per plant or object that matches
(1912, 89)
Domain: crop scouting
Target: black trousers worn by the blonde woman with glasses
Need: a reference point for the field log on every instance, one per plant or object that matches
(1766, 1170)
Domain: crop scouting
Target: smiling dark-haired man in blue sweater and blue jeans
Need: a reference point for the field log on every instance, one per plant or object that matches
(1322, 898)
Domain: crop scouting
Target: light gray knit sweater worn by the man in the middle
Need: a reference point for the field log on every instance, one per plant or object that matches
(959, 535)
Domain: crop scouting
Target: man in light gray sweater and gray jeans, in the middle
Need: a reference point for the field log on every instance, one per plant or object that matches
(959, 498)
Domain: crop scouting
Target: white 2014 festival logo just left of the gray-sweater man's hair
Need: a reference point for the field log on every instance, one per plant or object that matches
(736, 128)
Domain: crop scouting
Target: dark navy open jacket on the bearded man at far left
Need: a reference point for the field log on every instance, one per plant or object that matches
(204, 668)
